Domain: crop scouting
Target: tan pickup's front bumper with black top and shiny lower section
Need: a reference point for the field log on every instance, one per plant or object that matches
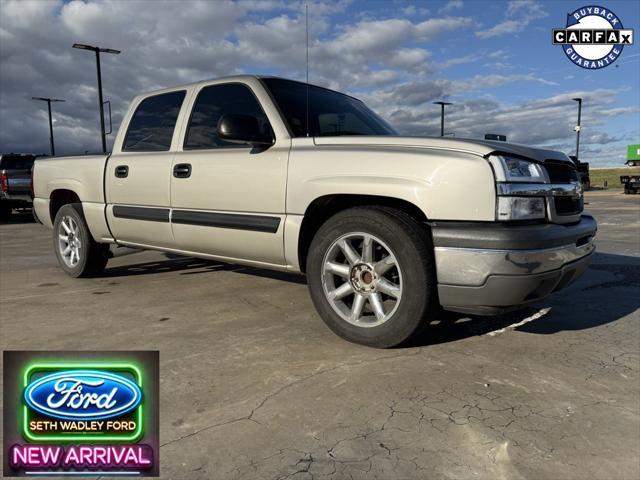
(486, 268)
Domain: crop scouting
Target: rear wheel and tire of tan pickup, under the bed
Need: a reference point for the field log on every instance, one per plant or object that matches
(78, 253)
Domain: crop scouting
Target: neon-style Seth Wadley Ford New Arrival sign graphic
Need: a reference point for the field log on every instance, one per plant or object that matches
(93, 415)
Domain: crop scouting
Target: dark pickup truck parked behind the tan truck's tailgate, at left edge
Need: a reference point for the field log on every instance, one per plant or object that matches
(15, 182)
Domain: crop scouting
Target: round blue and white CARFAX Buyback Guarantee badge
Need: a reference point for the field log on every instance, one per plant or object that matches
(593, 38)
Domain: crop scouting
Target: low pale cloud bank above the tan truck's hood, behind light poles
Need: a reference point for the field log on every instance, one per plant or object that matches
(545, 122)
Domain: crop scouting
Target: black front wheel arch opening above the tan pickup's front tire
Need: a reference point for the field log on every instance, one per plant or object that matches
(325, 207)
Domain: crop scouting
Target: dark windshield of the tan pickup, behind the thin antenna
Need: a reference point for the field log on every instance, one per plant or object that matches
(330, 113)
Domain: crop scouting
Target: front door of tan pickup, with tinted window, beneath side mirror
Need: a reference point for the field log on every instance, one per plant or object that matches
(228, 200)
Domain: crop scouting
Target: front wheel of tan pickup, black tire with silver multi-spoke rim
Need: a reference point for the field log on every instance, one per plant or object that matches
(371, 275)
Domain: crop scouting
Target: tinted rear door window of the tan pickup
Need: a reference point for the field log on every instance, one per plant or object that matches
(151, 128)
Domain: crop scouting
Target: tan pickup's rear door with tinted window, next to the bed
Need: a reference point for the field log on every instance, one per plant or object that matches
(138, 173)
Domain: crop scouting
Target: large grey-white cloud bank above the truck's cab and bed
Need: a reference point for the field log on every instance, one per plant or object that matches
(178, 42)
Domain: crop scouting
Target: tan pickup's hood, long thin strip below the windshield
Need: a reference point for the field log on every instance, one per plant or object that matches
(476, 147)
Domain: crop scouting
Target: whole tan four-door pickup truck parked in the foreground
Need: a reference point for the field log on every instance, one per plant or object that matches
(283, 175)
